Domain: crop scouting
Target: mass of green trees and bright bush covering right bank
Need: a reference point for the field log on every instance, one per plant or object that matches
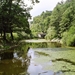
(63, 21)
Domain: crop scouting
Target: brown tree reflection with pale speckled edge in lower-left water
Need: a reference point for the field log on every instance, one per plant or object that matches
(15, 66)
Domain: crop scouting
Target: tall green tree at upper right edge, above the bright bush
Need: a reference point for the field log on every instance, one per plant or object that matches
(67, 16)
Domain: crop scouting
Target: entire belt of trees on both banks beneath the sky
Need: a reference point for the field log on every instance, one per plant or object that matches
(56, 24)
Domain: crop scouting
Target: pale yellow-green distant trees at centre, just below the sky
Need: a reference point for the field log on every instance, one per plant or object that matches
(40, 23)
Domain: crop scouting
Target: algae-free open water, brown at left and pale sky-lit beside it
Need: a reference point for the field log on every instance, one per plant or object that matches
(24, 66)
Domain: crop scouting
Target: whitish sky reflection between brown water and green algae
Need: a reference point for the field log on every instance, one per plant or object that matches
(37, 69)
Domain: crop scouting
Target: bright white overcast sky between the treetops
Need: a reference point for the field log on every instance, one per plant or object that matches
(43, 6)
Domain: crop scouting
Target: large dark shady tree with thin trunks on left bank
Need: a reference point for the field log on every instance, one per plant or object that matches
(14, 15)
